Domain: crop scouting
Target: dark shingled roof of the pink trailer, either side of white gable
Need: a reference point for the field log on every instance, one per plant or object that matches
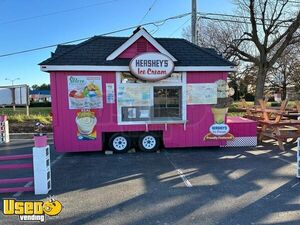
(95, 50)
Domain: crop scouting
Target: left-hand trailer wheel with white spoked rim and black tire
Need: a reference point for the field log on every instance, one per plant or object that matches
(119, 143)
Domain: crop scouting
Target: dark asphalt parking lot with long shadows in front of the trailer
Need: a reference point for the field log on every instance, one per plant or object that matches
(183, 186)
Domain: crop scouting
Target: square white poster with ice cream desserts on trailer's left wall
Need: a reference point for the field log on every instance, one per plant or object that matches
(85, 92)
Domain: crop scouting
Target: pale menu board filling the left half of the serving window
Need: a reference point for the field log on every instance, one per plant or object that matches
(135, 95)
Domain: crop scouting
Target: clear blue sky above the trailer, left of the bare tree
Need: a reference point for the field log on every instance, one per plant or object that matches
(27, 24)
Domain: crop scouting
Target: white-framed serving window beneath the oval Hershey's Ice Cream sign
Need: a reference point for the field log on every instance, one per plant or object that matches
(143, 101)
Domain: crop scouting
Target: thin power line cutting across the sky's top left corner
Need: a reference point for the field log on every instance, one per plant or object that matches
(58, 12)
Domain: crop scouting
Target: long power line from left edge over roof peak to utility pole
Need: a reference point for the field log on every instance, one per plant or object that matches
(104, 34)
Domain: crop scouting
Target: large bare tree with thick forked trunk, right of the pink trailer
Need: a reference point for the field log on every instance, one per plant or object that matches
(273, 27)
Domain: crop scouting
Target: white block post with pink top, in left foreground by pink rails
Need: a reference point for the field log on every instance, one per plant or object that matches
(41, 170)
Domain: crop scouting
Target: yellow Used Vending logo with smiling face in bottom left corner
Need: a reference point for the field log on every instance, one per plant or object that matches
(31, 210)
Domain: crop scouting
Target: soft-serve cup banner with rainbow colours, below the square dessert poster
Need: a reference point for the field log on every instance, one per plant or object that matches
(86, 125)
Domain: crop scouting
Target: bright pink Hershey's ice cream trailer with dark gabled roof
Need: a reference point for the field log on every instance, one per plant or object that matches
(118, 92)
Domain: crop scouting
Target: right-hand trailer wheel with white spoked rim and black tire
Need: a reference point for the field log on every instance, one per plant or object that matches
(148, 142)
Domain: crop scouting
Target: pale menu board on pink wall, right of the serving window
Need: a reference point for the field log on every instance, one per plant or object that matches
(204, 93)
